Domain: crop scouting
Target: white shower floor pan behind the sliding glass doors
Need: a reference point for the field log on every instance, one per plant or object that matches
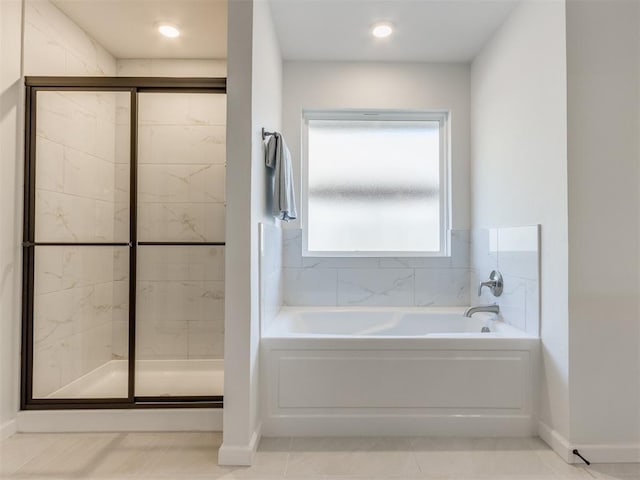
(154, 378)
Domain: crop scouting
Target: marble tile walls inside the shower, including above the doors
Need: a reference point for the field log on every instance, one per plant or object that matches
(83, 195)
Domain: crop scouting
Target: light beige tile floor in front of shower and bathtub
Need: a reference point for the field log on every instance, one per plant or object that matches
(181, 456)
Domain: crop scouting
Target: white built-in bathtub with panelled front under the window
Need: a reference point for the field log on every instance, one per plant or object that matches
(397, 371)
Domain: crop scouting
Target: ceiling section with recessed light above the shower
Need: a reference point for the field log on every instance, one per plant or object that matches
(128, 28)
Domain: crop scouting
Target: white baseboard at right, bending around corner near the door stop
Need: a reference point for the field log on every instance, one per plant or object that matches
(595, 453)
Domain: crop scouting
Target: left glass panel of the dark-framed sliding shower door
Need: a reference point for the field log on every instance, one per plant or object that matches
(77, 242)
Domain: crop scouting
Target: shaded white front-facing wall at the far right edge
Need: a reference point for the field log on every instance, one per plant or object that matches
(603, 56)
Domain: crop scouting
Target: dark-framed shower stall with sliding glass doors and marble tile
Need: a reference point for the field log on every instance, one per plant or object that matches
(123, 253)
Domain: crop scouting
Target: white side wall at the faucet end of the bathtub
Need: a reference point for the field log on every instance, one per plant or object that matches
(519, 166)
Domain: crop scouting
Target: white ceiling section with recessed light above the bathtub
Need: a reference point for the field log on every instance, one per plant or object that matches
(425, 30)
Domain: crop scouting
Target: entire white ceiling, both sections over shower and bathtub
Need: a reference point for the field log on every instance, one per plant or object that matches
(332, 30)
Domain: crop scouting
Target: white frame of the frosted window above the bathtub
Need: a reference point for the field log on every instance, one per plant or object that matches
(440, 116)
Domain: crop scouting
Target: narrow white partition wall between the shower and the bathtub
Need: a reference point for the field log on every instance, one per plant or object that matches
(254, 99)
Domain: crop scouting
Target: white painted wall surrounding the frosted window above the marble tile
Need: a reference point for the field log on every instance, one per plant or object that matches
(327, 85)
